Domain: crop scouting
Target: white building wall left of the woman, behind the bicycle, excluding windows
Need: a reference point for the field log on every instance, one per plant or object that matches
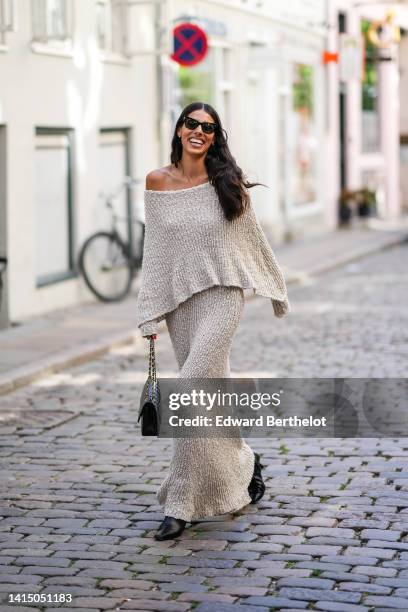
(78, 91)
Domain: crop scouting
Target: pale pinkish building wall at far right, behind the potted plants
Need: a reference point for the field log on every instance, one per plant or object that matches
(377, 169)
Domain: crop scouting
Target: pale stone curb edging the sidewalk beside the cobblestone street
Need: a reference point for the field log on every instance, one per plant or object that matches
(25, 375)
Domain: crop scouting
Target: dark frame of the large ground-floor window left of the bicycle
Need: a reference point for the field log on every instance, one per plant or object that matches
(71, 272)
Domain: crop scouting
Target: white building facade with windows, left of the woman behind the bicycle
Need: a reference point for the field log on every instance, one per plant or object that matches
(77, 114)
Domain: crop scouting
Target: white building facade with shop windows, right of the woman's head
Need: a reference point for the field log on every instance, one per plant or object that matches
(264, 75)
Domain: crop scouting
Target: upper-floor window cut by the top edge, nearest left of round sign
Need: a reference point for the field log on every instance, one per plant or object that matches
(112, 26)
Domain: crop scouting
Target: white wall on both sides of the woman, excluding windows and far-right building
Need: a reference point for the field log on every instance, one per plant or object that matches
(82, 92)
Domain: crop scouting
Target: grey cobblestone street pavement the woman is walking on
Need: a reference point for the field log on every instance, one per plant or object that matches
(78, 482)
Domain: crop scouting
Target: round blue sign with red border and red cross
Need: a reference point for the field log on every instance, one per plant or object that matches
(190, 44)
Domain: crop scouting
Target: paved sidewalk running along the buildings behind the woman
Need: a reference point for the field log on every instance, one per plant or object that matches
(68, 337)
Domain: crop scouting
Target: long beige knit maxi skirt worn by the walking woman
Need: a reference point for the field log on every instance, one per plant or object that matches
(207, 476)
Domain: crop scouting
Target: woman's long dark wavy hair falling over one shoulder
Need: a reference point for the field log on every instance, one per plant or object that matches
(223, 171)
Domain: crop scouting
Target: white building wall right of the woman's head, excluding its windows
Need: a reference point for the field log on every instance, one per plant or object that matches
(265, 42)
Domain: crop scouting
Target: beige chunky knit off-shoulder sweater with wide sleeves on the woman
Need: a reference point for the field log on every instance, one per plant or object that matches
(190, 246)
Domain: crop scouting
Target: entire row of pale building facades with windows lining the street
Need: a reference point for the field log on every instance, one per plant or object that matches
(90, 94)
